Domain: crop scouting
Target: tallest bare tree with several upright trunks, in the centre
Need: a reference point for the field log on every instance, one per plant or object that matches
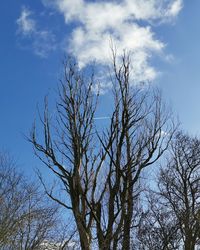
(100, 173)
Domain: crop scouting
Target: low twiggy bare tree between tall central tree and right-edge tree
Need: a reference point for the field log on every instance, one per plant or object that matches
(158, 227)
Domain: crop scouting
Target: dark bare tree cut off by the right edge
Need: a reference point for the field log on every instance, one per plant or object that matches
(178, 194)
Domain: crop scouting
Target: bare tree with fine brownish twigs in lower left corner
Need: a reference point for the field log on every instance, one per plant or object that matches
(26, 217)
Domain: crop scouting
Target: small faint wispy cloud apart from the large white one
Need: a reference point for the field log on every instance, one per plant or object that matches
(42, 42)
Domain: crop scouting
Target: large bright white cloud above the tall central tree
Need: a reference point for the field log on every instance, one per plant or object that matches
(99, 22)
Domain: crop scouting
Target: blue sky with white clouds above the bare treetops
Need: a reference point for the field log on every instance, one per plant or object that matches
(164, 37)
